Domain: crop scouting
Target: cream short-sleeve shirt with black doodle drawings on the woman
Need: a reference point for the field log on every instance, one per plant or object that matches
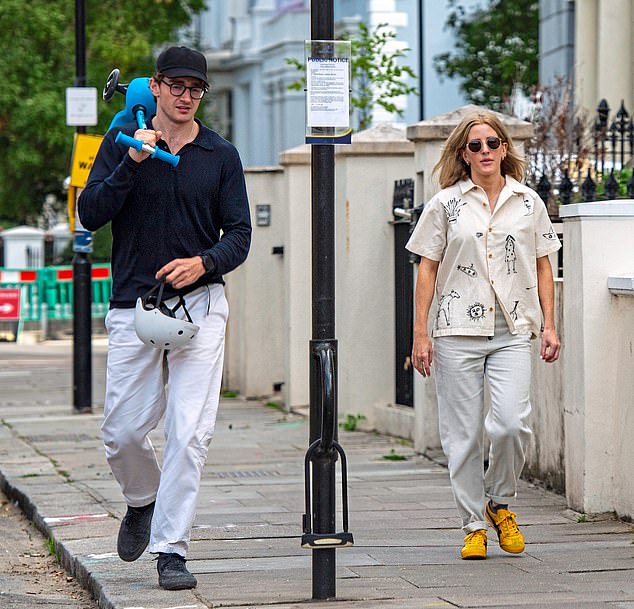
(485, 256)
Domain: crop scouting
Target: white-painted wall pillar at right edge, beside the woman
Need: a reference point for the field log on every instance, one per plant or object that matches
(598, 357)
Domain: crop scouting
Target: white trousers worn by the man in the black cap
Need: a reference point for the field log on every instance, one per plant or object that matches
(137, 397)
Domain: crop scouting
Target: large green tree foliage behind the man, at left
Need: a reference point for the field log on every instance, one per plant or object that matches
(38, 58)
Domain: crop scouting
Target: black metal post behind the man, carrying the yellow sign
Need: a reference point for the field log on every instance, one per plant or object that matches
(82, 284)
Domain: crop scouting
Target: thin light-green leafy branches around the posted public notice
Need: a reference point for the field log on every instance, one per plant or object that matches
(378, 76)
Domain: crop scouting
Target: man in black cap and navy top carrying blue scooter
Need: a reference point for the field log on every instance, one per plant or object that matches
(187, 225)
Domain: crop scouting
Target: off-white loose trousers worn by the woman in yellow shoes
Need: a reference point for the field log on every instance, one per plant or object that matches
(461, 365)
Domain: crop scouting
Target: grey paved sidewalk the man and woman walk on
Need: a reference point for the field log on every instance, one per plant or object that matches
(245, 547)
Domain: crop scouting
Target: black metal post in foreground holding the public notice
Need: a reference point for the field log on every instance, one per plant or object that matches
(323, 325)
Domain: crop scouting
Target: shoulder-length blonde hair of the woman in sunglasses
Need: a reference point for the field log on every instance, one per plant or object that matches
(452, 167)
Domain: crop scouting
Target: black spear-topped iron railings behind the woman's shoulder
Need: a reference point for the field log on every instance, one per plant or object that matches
(592, 162)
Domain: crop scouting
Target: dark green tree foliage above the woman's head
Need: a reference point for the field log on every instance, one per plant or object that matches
(496, 47)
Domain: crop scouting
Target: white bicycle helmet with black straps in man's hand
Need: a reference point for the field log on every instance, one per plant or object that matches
(157, 325)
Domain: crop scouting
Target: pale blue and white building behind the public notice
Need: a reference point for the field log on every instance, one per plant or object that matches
(247, 42)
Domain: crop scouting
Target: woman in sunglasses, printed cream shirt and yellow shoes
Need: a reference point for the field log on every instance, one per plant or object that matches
(484, 241)
